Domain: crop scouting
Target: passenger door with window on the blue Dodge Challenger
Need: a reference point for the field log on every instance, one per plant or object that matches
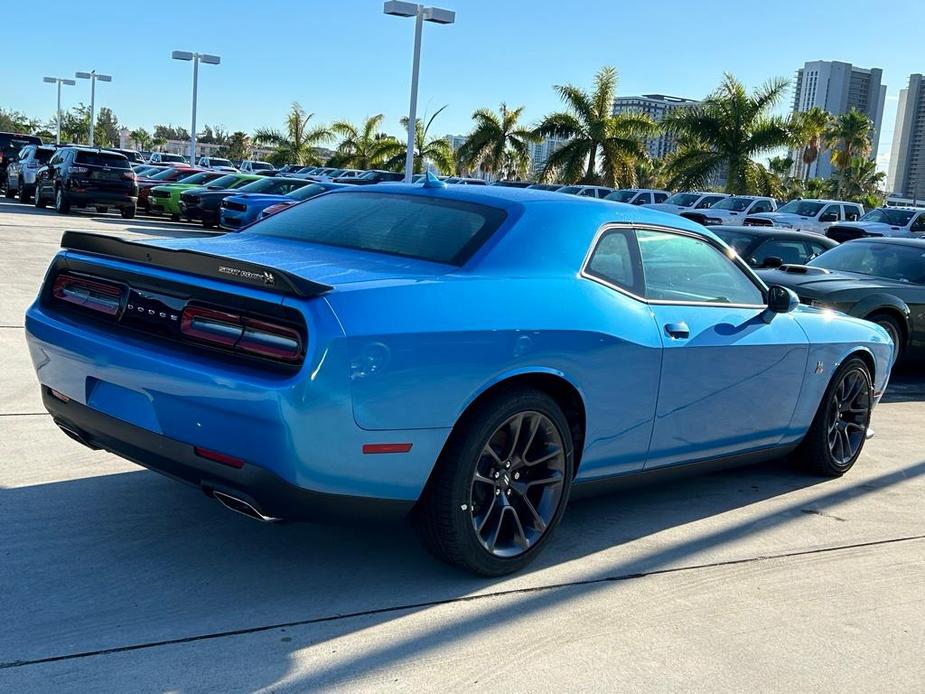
(730, 379)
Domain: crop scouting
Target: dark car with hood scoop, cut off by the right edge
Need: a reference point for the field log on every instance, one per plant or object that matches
(879, 279)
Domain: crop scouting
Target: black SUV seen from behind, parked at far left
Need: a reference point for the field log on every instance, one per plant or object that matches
(86, 177)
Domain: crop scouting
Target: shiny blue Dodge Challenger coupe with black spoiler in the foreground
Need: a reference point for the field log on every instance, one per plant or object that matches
(470, 355)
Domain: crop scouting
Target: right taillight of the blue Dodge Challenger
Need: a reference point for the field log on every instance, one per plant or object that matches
(241, 333)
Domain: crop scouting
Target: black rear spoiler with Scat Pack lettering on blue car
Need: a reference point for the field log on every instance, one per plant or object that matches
(195, 263)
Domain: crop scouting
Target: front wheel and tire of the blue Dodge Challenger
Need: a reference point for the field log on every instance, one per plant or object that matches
(836, 437)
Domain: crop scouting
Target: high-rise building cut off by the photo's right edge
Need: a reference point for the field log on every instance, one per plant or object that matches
(906, 177)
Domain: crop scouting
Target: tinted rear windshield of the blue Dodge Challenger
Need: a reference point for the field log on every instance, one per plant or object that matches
(441, 231)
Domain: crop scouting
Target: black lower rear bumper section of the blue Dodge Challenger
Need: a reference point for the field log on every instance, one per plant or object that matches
(270, 494)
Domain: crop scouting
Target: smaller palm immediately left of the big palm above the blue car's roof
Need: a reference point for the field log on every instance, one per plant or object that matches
(498, 143)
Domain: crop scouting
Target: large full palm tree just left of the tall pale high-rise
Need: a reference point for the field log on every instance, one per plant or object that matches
(725, 133)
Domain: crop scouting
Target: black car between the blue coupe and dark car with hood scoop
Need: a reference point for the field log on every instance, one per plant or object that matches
(767, 247)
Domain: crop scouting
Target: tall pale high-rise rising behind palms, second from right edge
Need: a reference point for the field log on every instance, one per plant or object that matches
(837, 88)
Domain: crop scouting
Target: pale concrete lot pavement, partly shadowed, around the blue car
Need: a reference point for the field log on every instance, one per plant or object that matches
(113, 578)
